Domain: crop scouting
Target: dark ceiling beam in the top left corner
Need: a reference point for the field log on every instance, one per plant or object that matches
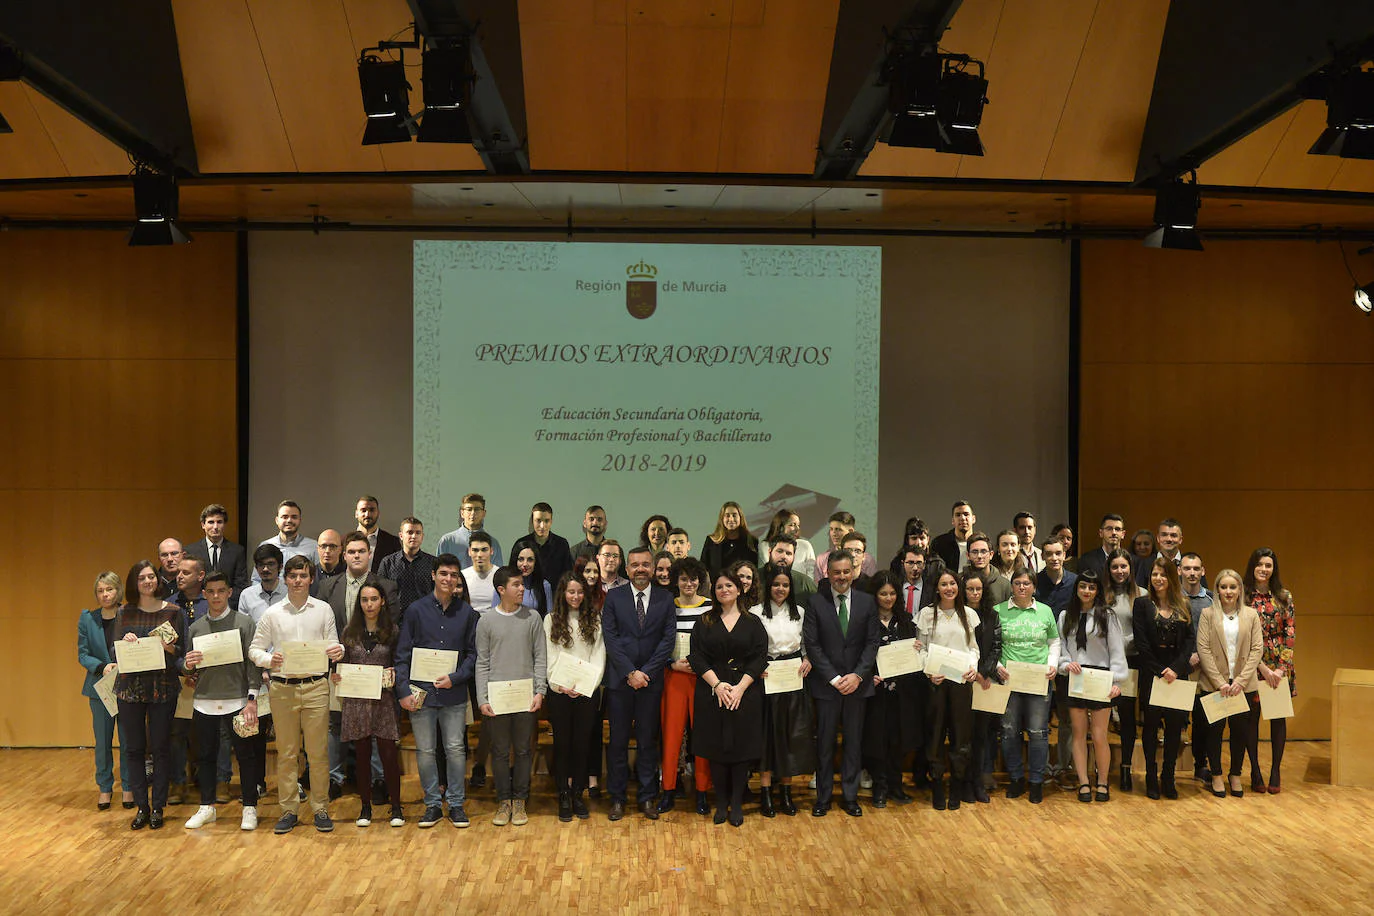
(112, 65)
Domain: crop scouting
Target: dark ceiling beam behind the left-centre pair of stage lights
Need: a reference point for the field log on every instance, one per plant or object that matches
(498, 105)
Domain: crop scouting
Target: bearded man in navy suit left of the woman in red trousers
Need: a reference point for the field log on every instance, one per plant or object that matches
(640, 624)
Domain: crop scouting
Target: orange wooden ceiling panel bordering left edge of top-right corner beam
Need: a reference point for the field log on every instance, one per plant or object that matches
(1099, 138)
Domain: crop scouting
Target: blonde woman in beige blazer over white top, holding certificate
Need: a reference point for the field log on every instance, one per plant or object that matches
(1230, 643)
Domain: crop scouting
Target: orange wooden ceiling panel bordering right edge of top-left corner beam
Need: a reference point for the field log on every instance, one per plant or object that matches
(234, 109)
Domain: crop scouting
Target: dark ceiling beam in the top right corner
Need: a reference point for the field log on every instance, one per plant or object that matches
(1229, 67)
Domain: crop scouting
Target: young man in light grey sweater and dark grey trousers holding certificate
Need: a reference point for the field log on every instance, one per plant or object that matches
(510, 648)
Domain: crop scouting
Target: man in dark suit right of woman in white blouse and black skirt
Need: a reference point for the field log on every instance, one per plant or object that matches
(840, 632)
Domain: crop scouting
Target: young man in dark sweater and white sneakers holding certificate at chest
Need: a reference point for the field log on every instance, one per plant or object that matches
(222, 693)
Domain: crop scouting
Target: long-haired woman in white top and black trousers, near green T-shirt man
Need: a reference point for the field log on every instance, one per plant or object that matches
(949, 623)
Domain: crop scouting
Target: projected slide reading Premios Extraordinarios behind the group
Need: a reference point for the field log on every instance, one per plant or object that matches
(648, 380)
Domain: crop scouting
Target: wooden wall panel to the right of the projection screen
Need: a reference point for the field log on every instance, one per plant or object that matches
(1233, 391)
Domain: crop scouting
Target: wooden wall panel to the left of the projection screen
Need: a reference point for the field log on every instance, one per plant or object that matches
(122, 425)
